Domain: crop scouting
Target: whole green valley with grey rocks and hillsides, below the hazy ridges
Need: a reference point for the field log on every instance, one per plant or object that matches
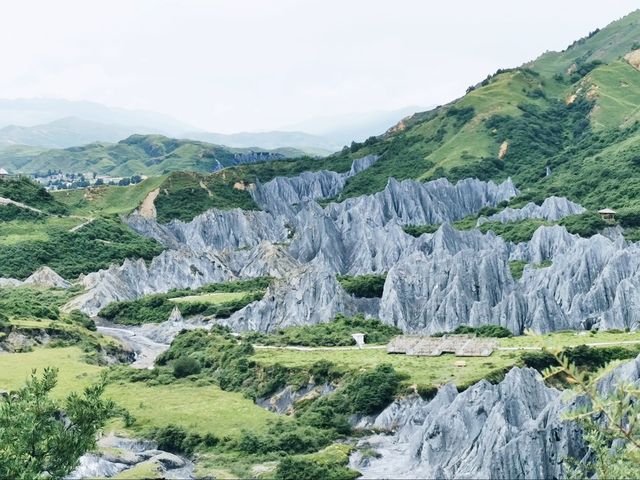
(217, 307)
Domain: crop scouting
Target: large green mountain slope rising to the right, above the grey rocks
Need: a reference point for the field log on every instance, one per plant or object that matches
(563, 124)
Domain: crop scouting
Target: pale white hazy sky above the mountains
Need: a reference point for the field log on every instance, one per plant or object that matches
(229, 65)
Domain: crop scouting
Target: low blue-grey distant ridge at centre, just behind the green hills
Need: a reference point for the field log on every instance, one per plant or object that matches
(311, 144)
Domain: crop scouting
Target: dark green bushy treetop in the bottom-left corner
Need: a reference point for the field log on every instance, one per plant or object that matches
(43, 438)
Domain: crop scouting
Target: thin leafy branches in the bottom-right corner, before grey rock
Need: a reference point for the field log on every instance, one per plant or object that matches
(610, 424)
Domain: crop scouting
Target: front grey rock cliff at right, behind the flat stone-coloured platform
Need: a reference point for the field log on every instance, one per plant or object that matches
(459, 278)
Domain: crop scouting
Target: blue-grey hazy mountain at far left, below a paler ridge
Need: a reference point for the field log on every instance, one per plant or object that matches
(66, 132)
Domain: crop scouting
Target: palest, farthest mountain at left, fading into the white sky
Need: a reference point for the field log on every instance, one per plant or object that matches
(29, 112)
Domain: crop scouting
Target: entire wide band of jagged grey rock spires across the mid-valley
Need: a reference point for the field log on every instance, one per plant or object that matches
(434, 283)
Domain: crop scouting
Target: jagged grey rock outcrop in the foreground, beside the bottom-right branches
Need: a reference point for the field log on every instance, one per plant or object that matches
(510, 430)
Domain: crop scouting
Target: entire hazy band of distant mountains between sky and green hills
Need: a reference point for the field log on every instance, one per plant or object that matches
(55, 123)
